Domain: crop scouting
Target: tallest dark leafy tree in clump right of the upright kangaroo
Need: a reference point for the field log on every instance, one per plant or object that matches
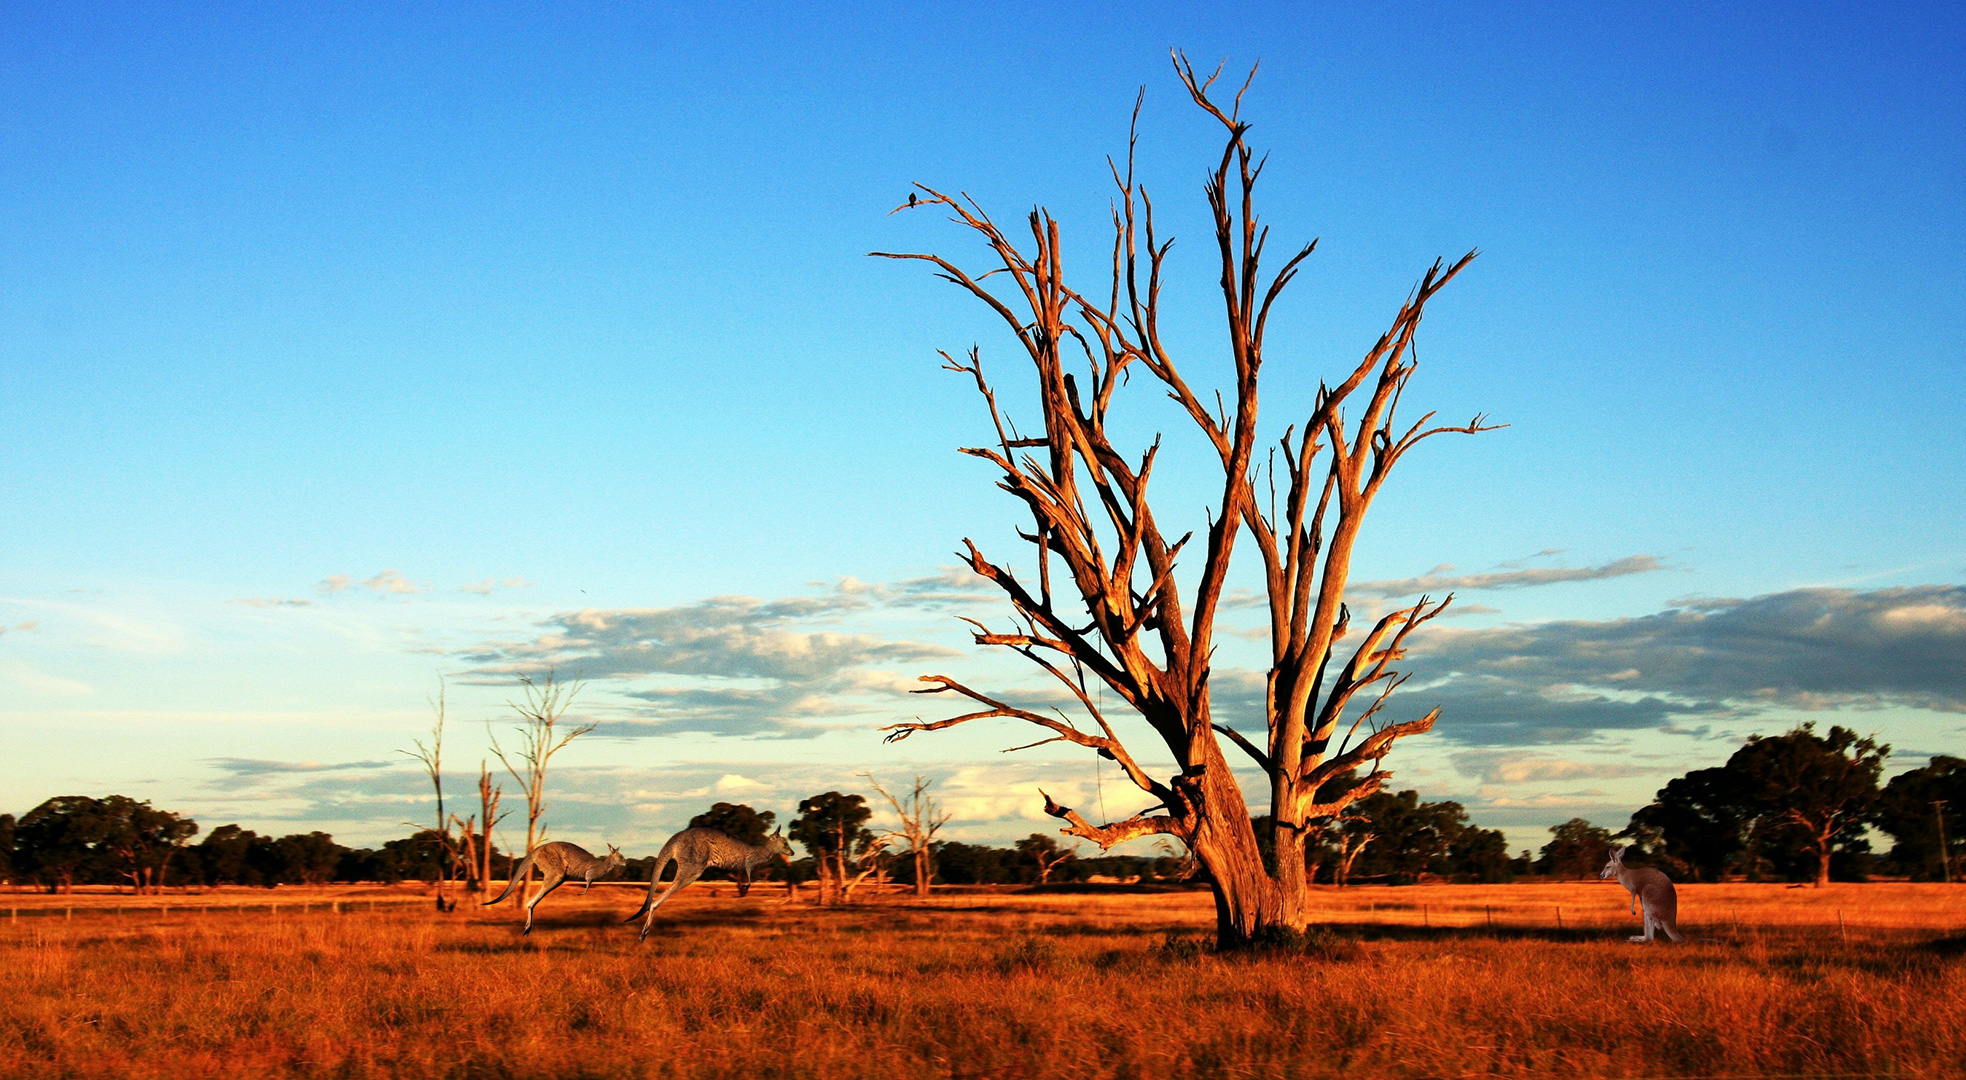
(1814, 794)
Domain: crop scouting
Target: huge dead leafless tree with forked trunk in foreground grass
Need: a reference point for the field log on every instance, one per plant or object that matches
(1122, 619)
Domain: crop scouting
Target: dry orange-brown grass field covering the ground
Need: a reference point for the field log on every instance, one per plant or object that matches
(1853, 981)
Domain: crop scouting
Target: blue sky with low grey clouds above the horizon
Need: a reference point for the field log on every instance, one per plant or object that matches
(310, 322)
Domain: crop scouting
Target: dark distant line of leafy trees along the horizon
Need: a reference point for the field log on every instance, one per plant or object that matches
(1792, 808)
